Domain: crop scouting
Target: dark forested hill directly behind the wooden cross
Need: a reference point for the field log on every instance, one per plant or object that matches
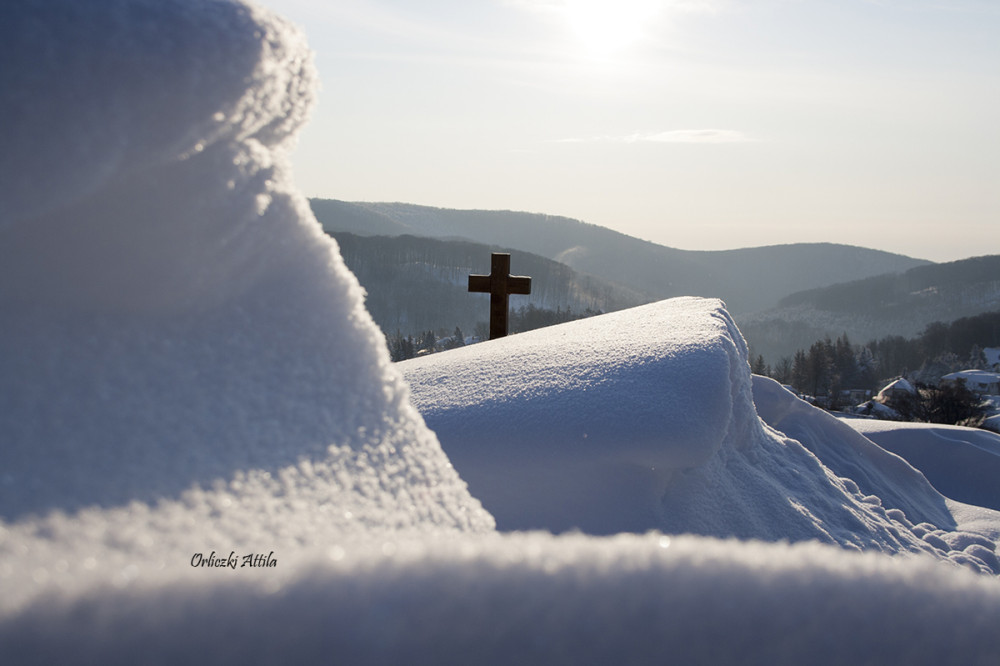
(416, 284)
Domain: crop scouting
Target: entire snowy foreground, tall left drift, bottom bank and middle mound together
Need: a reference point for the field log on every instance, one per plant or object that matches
(189, 377)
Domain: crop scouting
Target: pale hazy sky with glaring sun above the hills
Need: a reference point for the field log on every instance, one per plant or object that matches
(698, 124)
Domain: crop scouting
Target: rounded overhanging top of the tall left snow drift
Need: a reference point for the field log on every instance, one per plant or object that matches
(91, 95)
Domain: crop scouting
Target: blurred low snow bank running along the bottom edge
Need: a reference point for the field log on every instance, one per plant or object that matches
(539, 599)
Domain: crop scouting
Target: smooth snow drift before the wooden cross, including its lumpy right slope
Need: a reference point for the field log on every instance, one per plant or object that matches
(645, 419)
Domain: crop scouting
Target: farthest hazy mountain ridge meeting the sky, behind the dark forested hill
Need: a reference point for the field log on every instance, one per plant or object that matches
(748, 280)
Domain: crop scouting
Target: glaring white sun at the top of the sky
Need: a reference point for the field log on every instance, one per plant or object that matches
(606, 27)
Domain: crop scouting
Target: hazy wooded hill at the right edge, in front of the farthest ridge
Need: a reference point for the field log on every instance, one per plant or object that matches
(893, 304)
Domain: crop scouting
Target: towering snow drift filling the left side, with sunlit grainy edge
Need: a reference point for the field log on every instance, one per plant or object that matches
(190, 366)
